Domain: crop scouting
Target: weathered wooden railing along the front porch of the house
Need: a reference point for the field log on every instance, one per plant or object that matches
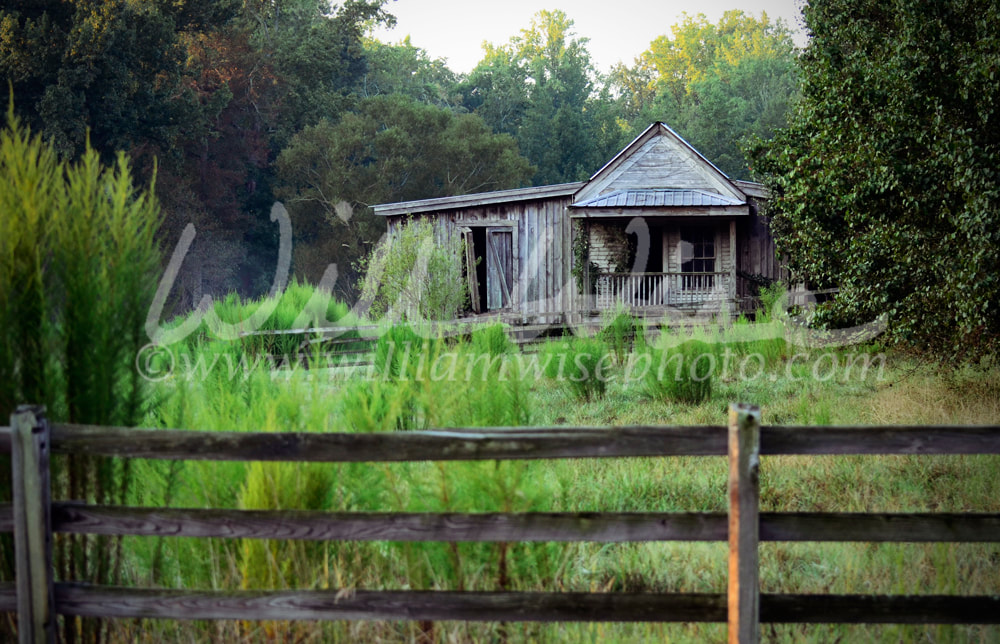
(661, 289)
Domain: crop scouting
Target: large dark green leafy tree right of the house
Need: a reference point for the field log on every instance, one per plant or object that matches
(885, 179)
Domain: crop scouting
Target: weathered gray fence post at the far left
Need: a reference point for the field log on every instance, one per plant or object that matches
(32, 525)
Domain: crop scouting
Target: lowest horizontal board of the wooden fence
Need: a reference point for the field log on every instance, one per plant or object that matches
(115, 602)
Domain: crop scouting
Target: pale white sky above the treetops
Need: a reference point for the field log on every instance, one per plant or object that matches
(619, 30)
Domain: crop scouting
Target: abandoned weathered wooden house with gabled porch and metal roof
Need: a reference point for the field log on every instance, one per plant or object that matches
(658, 230)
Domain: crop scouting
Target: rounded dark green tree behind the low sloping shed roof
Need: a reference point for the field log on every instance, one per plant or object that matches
(392, 149)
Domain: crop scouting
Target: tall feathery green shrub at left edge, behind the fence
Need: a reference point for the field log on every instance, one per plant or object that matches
(78, 268)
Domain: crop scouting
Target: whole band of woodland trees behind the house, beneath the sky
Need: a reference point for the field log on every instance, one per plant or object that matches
(237, 104)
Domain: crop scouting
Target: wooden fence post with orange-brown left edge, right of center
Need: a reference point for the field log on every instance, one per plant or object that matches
(744, 510)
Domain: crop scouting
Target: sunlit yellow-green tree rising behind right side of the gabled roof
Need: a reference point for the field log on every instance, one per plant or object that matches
(716, 84)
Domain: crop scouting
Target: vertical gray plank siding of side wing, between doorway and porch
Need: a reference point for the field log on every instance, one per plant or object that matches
(544, 287)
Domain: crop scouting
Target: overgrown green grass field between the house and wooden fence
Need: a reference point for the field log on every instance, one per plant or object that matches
(788, 385)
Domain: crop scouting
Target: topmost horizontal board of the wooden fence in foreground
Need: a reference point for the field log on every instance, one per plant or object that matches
(507, 444)
